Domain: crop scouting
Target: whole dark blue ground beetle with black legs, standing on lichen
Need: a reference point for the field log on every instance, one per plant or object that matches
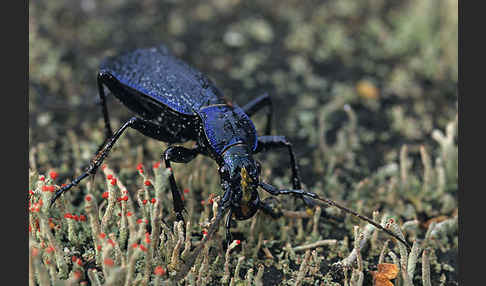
(175, 103)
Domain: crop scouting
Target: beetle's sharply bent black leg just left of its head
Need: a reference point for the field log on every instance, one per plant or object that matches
(178, 154)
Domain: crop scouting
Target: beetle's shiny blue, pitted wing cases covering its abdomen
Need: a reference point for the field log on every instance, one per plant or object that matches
(158, 74)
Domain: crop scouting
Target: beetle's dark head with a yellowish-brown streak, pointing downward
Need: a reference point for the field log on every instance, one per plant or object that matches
(240, 177)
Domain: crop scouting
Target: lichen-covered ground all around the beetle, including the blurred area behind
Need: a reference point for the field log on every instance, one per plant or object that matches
(366, 91)
